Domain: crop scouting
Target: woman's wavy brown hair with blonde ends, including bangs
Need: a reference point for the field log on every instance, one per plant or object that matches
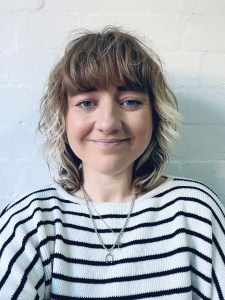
(96, 60)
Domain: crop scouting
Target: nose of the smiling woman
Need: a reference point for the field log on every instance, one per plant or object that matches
(109, 118)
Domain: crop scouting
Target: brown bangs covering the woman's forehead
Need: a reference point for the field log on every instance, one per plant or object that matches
(100, 60)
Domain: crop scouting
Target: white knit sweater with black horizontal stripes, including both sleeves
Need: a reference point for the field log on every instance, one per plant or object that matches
(173, 246)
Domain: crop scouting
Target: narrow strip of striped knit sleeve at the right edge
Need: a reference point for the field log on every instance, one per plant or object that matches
(218, 251)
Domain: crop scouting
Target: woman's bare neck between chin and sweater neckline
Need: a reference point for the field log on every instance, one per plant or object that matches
(106, 188)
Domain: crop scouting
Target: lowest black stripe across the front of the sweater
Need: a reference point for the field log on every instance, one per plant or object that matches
(169, 292)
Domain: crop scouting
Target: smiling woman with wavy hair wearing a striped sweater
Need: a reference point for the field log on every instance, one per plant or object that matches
(113, 226)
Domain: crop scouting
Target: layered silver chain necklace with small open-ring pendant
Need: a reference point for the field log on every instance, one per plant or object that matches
(109, 258)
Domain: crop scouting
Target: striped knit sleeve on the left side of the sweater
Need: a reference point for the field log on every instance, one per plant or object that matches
(22, 273)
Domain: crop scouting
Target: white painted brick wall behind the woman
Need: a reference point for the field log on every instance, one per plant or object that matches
(190, 37)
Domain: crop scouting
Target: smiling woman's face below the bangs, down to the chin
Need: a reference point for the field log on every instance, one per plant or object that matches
(109, 129)
